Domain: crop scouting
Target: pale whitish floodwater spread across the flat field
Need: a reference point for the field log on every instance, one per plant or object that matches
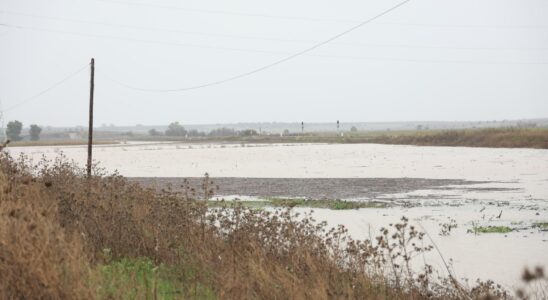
(513, 192)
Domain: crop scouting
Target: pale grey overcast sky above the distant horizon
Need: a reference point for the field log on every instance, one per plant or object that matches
(427, 60)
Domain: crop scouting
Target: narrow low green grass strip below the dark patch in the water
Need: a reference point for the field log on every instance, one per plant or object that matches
(279, 202)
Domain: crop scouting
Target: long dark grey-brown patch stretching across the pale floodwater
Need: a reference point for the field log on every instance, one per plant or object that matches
(310, 188)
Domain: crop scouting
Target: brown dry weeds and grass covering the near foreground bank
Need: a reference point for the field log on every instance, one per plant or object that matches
(61, 234)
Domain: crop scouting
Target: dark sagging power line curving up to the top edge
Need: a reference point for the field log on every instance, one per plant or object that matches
(276, 62)
